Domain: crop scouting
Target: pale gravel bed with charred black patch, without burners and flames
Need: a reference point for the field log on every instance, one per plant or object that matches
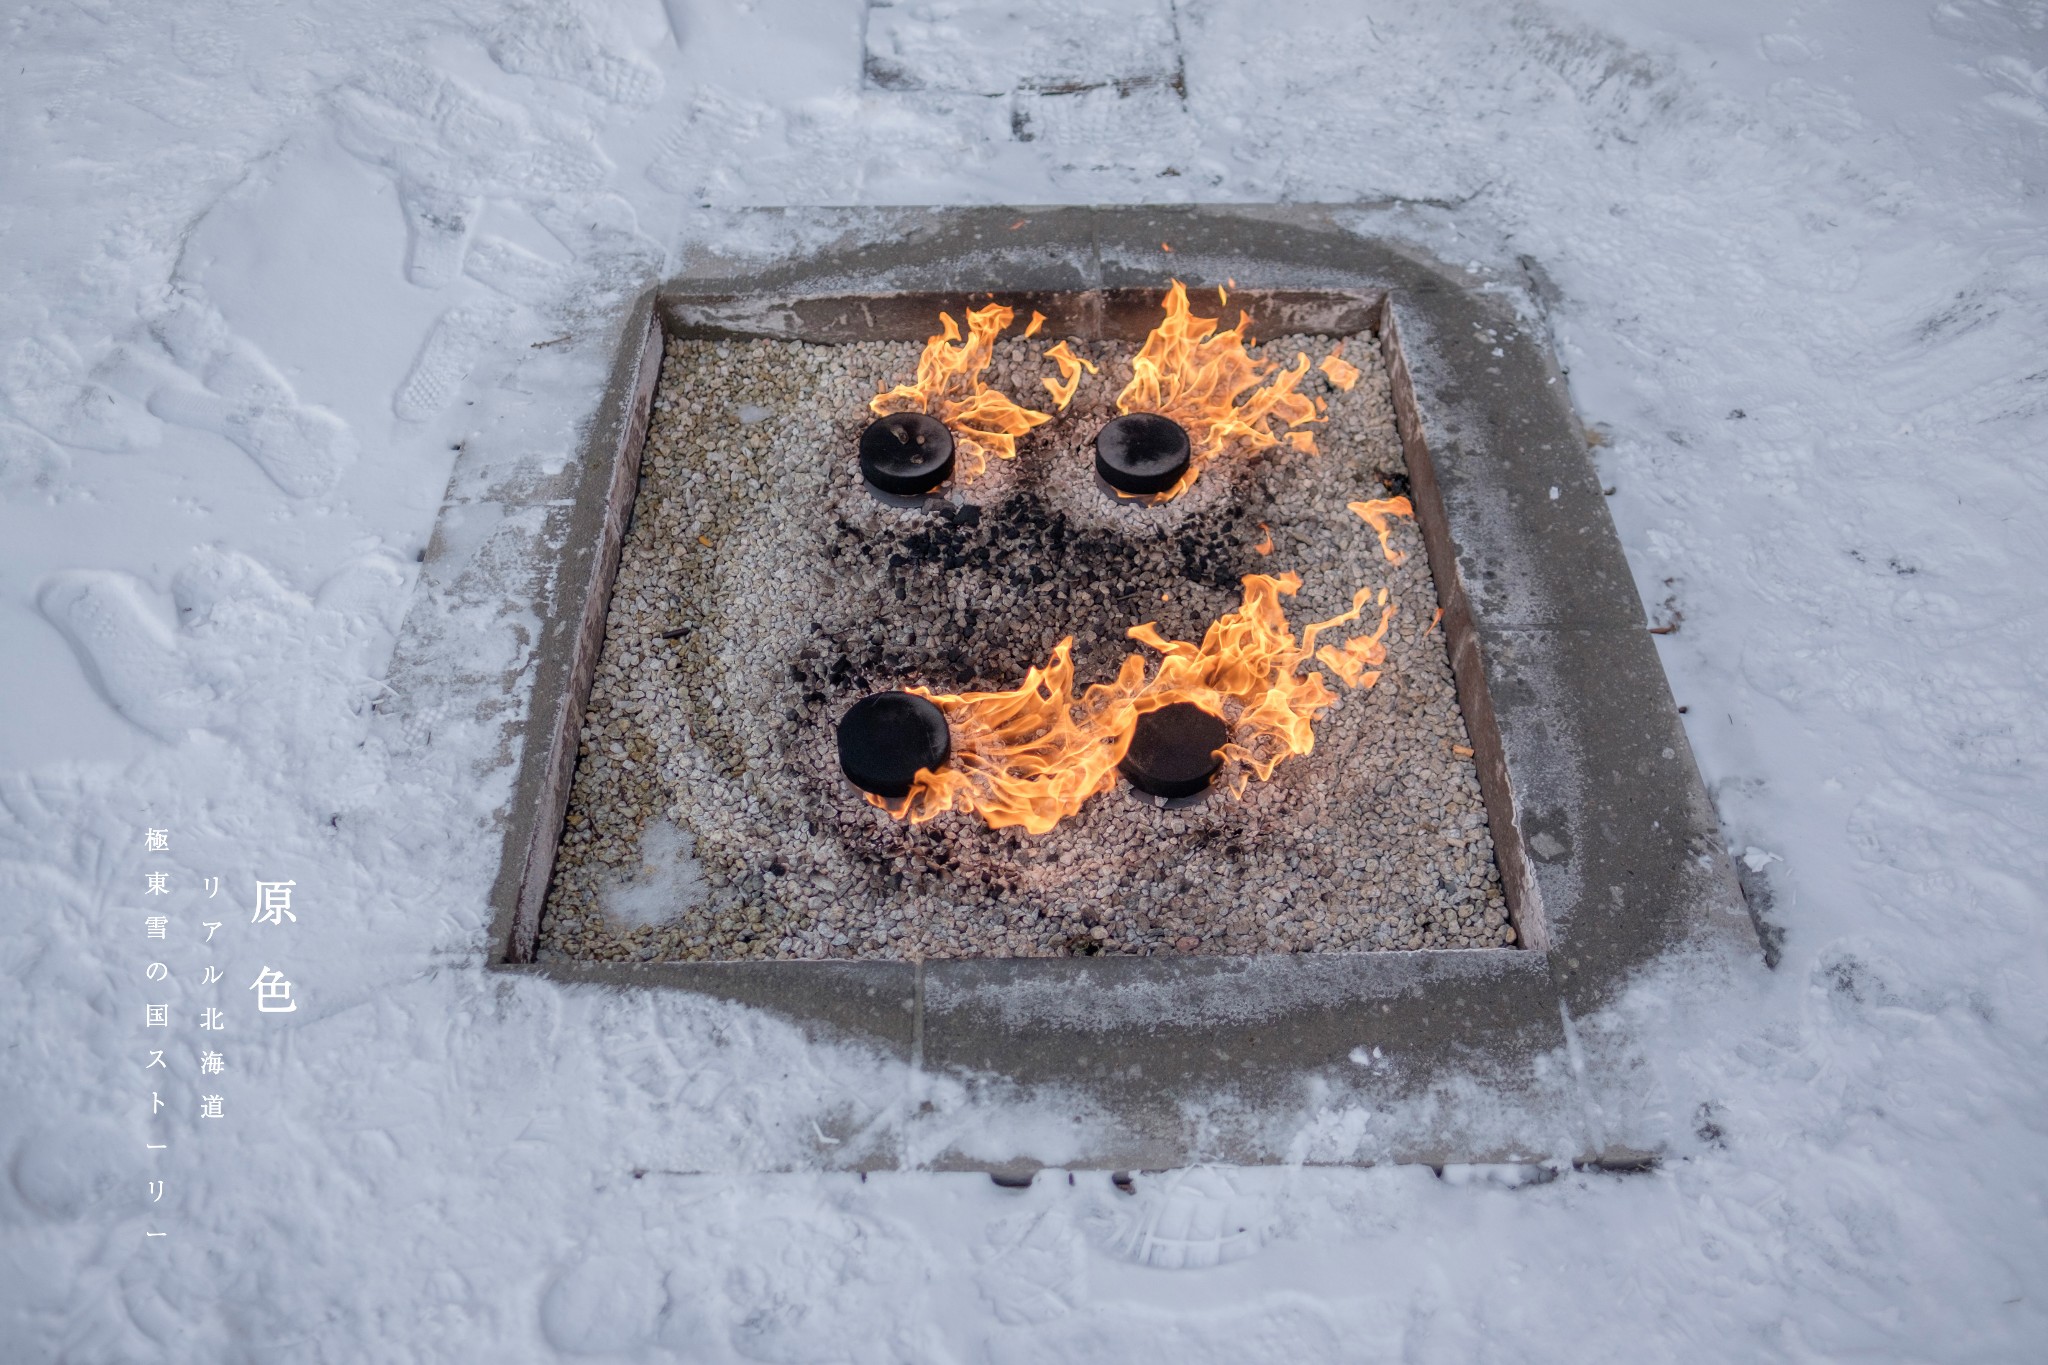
(763, 590)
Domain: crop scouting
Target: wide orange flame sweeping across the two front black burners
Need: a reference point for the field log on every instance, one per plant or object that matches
(1037, 754)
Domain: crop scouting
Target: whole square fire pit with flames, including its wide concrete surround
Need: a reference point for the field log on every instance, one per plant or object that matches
(1187, 977)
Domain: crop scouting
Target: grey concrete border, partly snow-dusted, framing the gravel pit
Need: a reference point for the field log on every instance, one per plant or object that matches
(1607, 842)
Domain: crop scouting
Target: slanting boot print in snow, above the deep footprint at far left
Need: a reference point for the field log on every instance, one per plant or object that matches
(304, 449)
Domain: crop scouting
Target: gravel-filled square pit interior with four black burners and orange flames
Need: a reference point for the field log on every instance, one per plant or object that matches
(972, 725)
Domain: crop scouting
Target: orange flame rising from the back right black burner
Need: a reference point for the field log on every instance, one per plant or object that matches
(1211, 386)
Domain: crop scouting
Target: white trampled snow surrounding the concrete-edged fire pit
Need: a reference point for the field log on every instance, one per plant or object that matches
(269, 265)
